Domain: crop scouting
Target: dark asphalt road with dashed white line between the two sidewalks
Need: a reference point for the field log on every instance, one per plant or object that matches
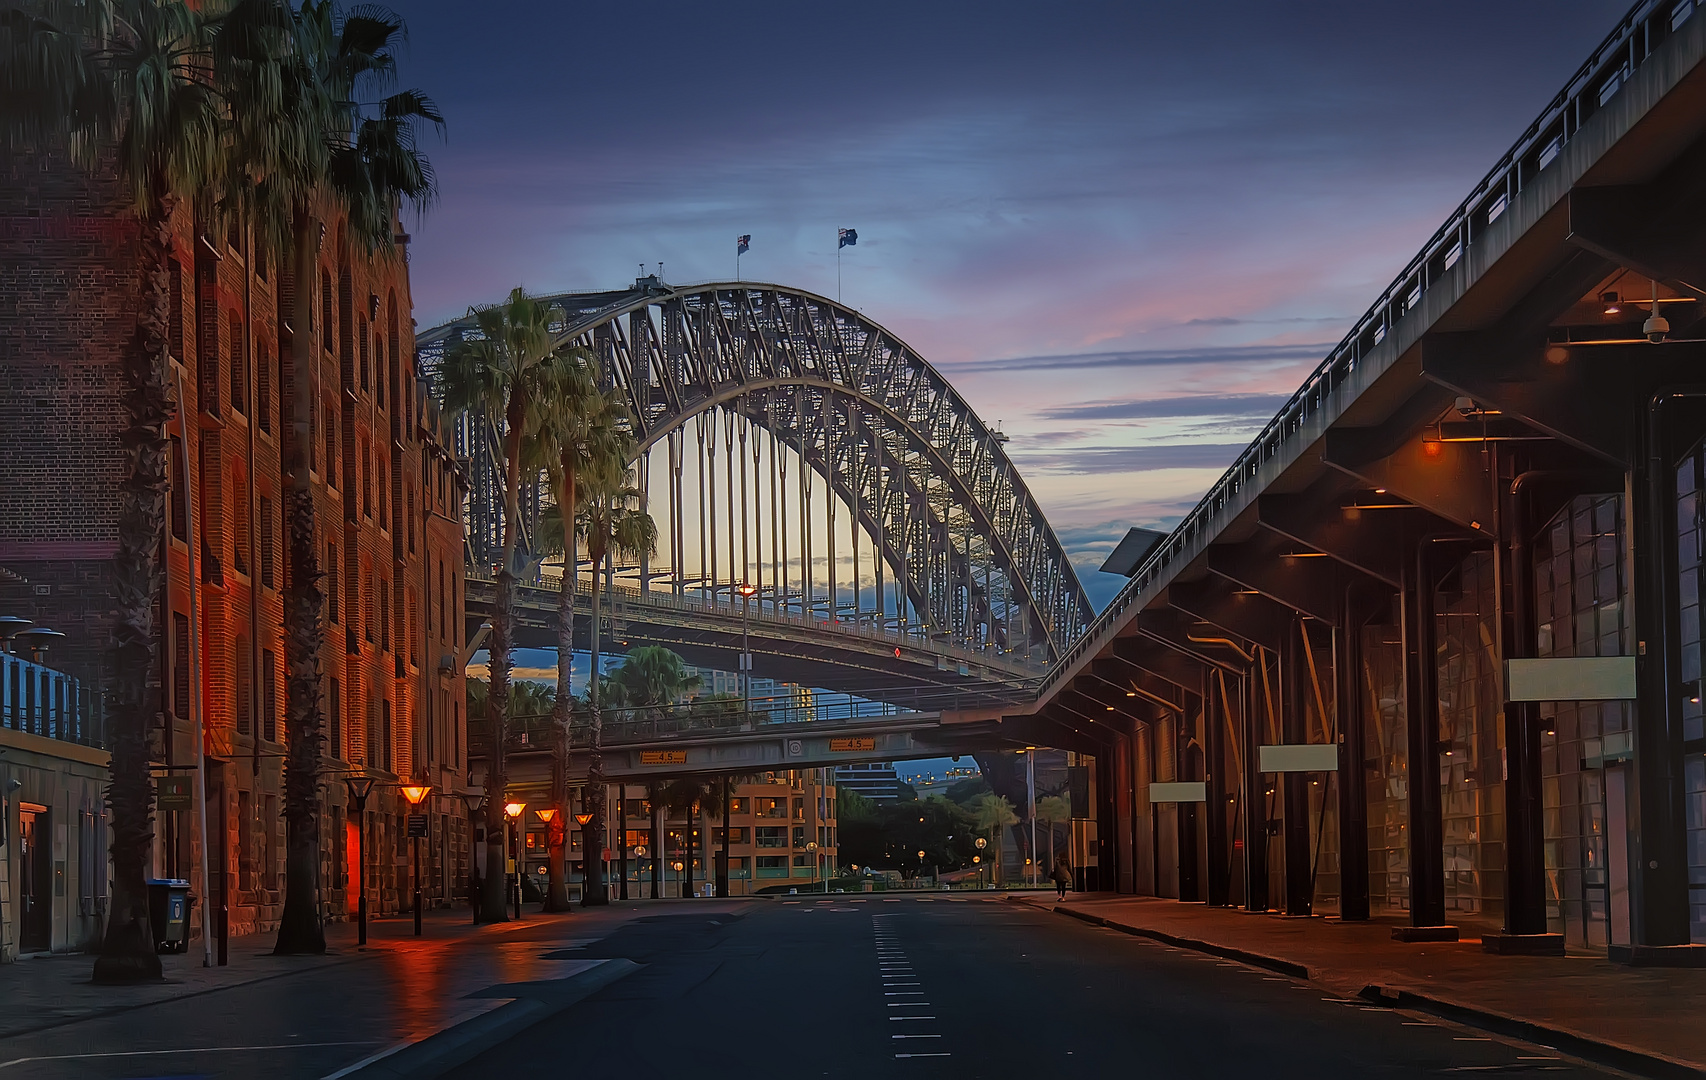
(966, 987)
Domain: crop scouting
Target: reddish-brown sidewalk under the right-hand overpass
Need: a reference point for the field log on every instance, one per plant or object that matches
(1642, 1019)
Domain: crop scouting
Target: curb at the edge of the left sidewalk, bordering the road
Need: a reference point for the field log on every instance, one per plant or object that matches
(463, 1040)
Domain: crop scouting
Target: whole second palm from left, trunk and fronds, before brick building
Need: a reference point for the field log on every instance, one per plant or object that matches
(299, 84)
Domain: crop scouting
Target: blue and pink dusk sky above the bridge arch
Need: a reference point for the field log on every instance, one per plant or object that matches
(1123, 231)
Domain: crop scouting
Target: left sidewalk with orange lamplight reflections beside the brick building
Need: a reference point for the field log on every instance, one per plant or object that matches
(267, 1016)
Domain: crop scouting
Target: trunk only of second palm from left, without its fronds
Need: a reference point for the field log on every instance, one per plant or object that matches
(299, 929)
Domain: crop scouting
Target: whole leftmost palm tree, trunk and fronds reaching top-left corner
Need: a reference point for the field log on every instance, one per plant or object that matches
(125, 88)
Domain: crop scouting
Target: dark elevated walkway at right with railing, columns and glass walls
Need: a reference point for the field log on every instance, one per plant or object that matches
(1303, 699)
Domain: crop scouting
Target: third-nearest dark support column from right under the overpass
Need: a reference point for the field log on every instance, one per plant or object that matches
(1422, 716)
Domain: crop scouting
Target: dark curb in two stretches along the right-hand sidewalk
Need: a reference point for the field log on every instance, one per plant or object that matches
(1599, 1052)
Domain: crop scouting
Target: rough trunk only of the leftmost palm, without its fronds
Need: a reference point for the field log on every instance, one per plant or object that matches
(127, 948)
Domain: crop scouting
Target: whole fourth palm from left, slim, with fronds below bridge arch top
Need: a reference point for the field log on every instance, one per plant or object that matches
(577, 431)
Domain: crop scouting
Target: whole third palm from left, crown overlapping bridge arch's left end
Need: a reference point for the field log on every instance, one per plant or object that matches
(496, 380)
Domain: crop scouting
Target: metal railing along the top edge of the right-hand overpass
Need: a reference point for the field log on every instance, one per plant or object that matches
(1594, 84)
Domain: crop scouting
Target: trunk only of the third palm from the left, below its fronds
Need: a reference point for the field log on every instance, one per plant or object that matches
(496, 885)
